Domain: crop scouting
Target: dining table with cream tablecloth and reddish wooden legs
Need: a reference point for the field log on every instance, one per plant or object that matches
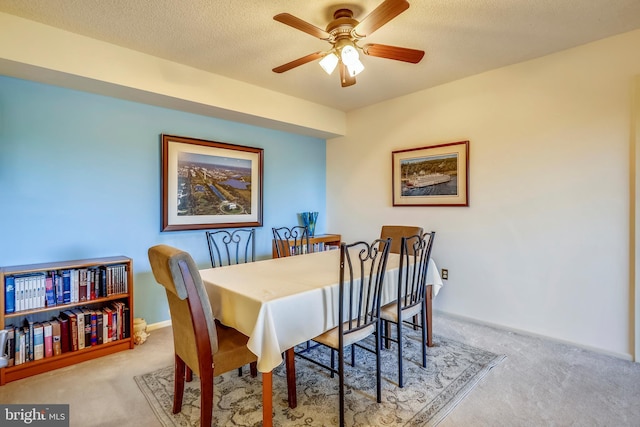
(282, 302)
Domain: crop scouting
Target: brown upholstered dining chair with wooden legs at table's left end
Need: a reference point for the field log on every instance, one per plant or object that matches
(202, 345)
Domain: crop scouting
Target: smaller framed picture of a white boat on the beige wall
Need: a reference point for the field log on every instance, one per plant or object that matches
(436, 175)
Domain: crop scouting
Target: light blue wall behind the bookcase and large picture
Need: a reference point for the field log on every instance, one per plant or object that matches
(80, 178)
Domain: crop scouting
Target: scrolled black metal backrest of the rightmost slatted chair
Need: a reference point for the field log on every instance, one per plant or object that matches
(415, 252)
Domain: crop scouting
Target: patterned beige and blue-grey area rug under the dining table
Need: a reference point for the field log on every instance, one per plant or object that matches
(429, 394)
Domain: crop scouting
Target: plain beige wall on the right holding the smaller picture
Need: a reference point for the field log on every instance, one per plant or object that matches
(544, 245)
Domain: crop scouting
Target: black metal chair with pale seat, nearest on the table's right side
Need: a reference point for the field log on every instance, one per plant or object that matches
(362, 270)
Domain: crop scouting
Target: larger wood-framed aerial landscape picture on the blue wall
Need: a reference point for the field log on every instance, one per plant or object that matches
(209, 184)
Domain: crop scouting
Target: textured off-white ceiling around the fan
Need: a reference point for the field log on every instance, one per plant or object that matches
(239, 38)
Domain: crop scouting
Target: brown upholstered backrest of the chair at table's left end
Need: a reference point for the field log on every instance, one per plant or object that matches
(194, 333)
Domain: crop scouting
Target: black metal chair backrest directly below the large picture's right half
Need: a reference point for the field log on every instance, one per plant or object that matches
(228, 248)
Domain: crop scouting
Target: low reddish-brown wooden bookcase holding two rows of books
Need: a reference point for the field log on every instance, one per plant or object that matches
(34, 367)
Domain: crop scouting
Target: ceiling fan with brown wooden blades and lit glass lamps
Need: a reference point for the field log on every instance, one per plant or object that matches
(344, 33)
